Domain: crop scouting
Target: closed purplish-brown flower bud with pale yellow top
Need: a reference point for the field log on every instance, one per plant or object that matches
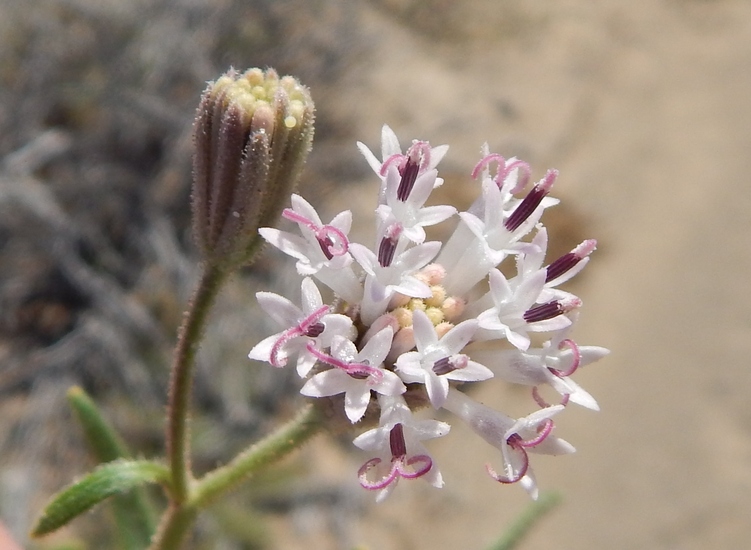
(252, 134)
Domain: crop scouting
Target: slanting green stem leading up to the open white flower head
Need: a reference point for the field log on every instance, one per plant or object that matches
(273, 447)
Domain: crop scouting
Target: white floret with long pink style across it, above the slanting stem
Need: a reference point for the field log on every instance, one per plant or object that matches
(355, 374)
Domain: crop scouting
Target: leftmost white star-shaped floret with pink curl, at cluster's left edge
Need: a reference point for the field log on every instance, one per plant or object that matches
(314, 323)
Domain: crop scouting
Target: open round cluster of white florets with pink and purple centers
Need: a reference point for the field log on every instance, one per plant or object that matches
(408, 314)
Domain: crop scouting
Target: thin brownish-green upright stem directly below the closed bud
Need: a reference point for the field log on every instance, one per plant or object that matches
(181, 380)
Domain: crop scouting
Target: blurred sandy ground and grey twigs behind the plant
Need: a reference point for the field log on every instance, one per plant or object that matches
(644, 106)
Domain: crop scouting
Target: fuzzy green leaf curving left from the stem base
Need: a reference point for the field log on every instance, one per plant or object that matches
(107, 480)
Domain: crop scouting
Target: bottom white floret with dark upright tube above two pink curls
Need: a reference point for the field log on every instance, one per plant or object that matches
(399, 453)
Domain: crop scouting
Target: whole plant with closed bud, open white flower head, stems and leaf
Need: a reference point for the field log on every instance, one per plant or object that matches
(410, 320)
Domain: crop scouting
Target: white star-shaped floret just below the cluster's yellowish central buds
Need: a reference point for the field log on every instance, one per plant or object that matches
(437, 361)
